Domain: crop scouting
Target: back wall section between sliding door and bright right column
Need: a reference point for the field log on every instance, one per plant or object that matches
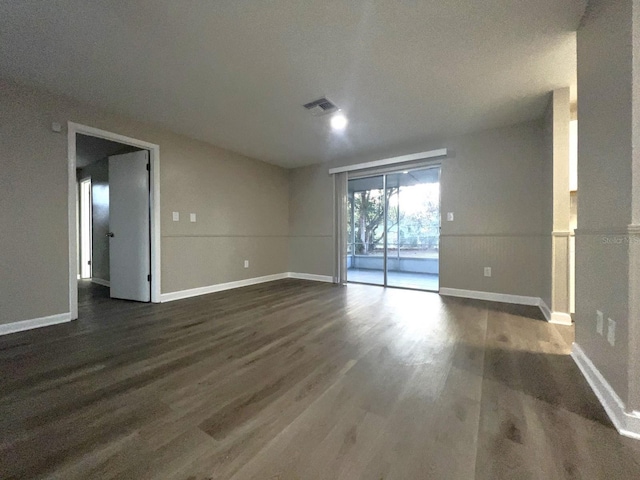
(495, 185)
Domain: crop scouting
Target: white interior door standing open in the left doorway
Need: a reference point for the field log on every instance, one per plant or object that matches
(129, 243)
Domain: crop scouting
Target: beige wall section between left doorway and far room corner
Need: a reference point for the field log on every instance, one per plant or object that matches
(242, 208)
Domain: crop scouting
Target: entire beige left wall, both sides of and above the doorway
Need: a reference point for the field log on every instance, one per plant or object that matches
(241, 205)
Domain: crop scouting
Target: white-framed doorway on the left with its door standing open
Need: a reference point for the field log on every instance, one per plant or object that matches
(114, 208)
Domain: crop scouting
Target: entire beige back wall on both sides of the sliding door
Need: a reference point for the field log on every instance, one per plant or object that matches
(497, 183)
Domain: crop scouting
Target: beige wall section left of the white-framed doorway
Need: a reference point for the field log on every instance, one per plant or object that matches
(33, 218)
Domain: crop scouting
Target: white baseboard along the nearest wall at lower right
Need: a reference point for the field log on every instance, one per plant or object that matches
(627, 423)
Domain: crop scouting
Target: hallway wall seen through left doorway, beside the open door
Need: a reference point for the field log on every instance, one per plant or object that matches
(99, 173)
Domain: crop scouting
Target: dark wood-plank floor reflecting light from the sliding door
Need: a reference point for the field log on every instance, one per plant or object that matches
(302, 380)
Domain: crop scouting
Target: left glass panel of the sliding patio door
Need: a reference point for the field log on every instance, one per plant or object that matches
(366, 233)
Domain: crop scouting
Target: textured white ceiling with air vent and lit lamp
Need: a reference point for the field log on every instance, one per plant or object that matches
(236, 73)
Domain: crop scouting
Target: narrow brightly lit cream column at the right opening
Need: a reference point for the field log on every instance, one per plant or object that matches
(560, 298)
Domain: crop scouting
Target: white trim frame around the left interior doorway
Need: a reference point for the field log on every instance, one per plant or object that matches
(154, 160)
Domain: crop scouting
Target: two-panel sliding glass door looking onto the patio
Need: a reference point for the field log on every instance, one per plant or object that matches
(393, 232)
